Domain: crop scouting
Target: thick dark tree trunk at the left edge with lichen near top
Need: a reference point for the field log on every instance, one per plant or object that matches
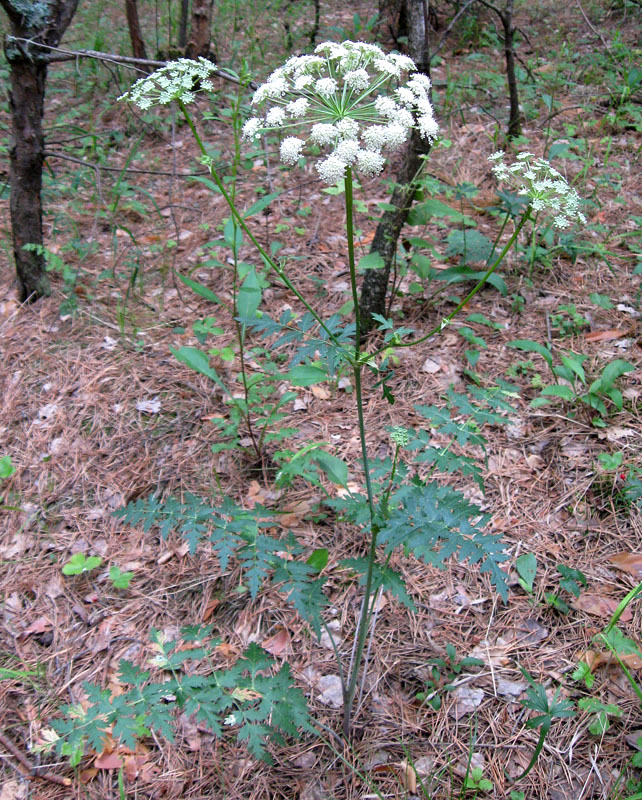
(37, 23)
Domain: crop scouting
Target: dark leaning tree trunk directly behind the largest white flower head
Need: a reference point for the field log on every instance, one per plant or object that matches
(375, 281)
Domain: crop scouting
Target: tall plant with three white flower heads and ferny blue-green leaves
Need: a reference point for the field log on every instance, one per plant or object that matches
(350, 100)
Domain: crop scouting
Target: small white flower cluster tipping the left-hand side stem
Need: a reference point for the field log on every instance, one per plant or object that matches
(175, 81)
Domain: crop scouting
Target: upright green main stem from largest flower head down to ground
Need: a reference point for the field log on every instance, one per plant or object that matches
(349, 690)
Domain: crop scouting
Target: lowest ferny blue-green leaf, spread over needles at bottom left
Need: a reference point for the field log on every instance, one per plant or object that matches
(252, 698)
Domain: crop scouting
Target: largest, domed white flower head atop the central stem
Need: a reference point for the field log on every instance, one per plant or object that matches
(345, 93)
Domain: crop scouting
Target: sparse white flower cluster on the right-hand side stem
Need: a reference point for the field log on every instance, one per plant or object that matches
(547, 188)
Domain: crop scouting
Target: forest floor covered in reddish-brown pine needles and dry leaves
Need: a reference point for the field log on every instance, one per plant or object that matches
(96, 412)
